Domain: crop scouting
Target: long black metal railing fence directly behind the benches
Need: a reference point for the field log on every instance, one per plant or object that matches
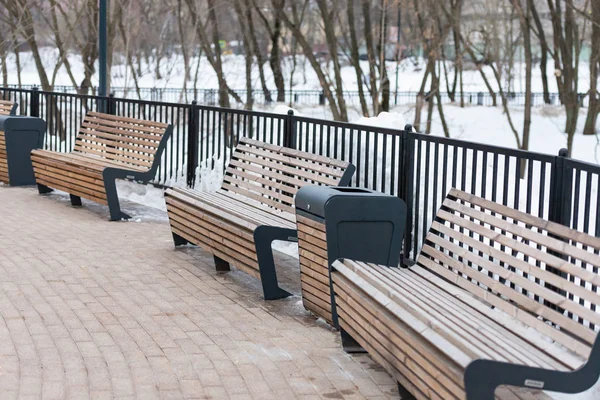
(418, 168)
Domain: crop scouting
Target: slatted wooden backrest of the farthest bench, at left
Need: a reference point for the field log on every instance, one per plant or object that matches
(132, 142)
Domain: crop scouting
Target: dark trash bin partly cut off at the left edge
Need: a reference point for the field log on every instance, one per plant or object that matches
(18, 136)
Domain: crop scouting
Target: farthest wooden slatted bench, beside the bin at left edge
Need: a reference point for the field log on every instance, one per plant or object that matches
(107, 148)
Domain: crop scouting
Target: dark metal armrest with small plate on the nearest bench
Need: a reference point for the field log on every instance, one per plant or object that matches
(482, 377)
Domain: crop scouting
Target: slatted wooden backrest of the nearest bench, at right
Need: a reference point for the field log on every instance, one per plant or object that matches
(542, 273)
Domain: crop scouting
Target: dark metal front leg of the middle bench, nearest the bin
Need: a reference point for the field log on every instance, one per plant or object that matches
(263, 239)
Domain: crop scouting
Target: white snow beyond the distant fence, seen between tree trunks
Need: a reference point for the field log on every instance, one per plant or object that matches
(172, 72)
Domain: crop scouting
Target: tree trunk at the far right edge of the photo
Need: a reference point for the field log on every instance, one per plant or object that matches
(593, 107)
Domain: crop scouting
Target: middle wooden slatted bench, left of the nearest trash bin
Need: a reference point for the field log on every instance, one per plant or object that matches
(254, 207)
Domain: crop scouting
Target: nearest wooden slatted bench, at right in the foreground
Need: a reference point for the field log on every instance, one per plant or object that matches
(492, 289)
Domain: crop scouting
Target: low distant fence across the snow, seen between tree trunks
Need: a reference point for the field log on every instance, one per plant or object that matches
(210, 97)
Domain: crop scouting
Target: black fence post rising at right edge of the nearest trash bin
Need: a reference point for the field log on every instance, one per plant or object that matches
(406, 191)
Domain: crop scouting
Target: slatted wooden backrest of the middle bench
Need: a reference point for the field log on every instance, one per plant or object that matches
(273, 174)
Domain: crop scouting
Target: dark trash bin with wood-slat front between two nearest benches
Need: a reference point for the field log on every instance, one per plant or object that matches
(343, 222)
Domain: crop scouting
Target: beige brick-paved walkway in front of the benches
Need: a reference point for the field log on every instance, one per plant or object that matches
(103, 310)
